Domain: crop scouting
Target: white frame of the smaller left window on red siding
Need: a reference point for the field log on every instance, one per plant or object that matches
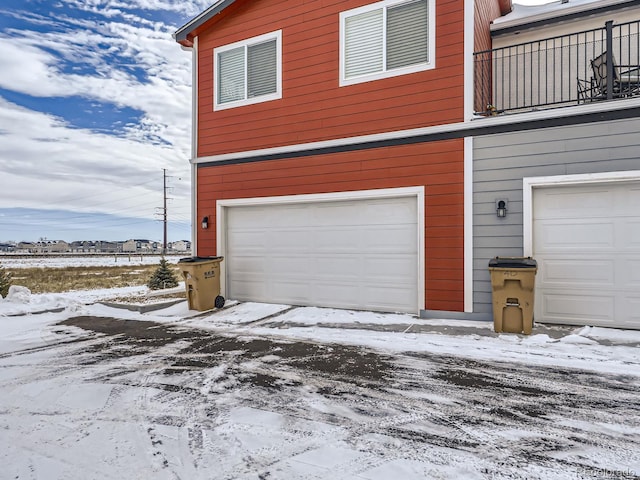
(277, 35)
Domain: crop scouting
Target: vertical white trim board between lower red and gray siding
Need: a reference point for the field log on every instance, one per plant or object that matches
(468, 224)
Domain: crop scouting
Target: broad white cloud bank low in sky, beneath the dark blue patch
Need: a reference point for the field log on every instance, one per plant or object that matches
(47, 164)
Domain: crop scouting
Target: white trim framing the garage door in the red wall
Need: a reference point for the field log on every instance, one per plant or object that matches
(418, 192)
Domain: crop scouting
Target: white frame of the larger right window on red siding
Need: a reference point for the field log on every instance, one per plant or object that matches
(384, 4)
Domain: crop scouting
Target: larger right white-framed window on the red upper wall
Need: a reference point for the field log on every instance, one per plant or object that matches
(385, 39)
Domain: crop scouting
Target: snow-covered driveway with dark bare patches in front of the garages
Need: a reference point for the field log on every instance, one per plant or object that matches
(259, 391)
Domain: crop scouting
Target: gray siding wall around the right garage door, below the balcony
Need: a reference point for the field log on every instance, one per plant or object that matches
(501, 162)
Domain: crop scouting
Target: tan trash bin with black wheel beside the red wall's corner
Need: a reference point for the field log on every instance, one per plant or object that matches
(202, 282)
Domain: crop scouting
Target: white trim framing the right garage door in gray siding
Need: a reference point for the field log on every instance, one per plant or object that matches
(529, 183)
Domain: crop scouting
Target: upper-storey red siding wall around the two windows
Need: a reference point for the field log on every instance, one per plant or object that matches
(313, 106)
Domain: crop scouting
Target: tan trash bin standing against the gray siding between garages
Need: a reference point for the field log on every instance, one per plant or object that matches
(512, 285)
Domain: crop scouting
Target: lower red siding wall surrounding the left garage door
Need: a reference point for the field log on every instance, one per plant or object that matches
(437, 165)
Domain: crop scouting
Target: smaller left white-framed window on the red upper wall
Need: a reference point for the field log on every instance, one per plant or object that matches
(248, 72)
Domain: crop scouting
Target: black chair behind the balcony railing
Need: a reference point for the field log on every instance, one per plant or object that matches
(624, 83)
